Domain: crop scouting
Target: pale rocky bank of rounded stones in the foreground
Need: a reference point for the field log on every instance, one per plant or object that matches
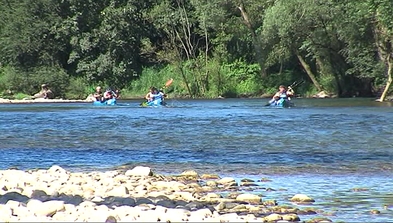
(137, 195)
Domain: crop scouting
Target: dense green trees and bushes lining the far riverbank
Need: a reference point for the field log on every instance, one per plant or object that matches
(217, 47)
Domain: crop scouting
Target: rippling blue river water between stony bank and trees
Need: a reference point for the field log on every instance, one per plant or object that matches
(325, 148)
